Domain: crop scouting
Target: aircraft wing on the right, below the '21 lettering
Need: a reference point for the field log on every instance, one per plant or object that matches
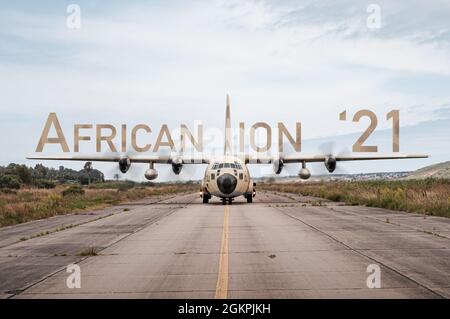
(299, 158)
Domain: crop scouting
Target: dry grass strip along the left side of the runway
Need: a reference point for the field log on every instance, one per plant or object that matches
(31, 204)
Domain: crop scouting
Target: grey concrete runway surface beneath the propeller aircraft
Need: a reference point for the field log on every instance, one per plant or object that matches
(281, 246)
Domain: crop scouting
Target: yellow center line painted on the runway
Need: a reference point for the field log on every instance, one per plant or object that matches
(222, 278)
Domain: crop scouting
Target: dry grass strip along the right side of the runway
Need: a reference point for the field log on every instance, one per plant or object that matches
(429, 196)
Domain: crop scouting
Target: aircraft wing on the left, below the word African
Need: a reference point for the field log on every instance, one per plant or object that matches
(158, 159)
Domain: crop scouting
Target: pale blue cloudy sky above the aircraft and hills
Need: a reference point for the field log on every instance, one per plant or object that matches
(173, 62)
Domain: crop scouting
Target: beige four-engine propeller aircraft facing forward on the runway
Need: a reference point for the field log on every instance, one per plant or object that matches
(227, 176)
